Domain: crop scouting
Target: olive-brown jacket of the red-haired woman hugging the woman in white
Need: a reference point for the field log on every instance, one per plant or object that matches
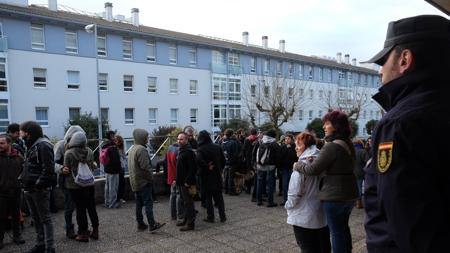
(334, 166)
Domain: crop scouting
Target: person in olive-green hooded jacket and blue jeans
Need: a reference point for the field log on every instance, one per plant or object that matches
(141, 178)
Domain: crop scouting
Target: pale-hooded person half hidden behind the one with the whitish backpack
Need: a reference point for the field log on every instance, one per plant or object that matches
(59, 150)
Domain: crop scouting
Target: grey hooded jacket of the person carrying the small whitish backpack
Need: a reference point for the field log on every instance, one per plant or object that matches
(77, 151)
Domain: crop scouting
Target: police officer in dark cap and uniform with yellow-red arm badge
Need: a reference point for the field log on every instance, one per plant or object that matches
(407, 187)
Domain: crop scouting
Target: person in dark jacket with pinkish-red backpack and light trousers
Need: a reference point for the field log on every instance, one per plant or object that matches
(110, 159)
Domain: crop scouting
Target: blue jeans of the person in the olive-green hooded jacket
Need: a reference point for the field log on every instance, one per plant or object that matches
(144, 199)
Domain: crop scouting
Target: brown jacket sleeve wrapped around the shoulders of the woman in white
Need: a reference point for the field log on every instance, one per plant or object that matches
(320, 164)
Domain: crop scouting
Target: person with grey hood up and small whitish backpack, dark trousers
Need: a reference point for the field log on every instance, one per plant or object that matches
(78, 155)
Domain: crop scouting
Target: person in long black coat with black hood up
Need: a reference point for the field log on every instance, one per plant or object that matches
(211, 161)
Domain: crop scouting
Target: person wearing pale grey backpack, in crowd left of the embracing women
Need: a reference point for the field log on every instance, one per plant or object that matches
(267, 158)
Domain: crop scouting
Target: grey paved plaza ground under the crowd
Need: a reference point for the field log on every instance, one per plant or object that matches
(249, 228)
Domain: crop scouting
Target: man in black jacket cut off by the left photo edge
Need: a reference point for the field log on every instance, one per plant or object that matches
(10, 167)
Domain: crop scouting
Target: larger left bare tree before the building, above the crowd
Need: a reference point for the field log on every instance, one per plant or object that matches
(277, 97)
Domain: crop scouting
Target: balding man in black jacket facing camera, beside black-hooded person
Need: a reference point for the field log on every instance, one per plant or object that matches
(185, 180)
